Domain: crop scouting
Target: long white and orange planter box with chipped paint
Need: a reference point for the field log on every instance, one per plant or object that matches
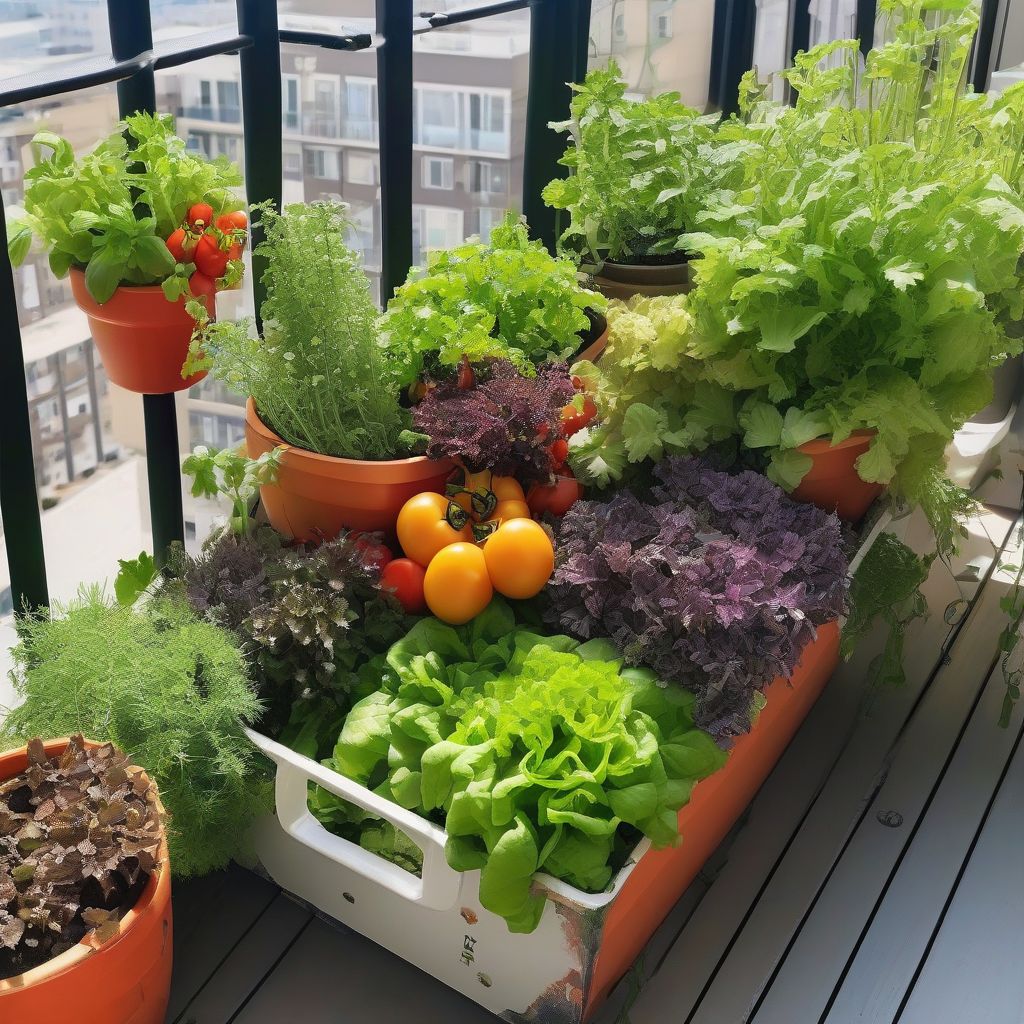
(561, 973)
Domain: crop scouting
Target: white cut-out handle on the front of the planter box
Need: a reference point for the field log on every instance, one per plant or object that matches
(440, 885)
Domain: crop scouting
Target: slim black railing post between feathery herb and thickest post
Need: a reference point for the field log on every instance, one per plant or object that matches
(395, 106)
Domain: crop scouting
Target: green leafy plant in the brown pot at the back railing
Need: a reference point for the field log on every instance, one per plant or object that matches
(642, 172)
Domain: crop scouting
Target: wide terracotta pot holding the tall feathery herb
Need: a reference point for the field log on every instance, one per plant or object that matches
(318, 495)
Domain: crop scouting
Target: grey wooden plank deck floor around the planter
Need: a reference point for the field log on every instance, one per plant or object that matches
(875, 878)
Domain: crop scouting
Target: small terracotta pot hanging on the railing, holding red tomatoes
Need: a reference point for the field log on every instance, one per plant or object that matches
(143, 339)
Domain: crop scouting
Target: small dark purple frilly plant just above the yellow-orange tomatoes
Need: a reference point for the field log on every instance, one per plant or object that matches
(504, 422)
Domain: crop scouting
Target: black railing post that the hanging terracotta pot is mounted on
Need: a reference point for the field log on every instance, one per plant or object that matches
(132, 34)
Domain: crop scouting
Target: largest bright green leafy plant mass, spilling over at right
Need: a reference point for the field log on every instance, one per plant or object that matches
(860, 279)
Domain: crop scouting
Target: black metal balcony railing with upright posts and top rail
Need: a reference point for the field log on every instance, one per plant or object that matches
(560, 35)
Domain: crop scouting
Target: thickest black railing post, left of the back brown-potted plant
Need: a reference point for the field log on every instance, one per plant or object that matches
(557, 29)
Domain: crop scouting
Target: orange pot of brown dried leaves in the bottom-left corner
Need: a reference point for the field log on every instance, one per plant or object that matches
(126, 980)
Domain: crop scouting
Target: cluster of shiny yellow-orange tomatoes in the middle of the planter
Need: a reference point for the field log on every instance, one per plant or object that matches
(480, 541)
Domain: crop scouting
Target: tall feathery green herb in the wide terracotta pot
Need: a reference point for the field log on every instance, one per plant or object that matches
(320, 376)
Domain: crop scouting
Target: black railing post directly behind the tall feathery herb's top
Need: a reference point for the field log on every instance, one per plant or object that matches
(262, 127)
